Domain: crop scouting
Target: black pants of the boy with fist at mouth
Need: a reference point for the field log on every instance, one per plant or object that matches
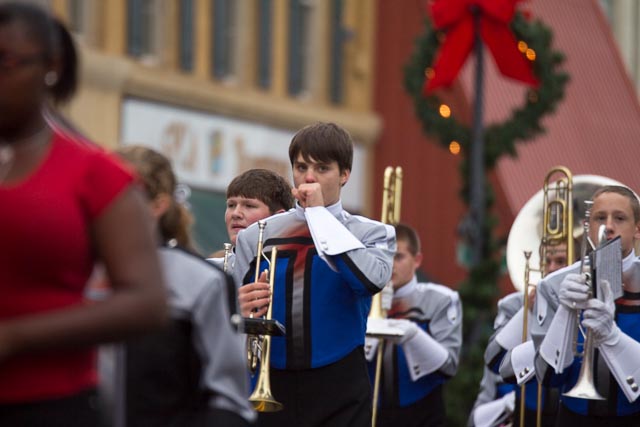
(337, 395)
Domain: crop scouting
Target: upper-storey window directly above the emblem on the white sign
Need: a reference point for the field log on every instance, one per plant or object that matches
(224, 38)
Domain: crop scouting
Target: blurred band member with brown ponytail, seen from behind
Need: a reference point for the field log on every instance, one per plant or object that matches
(191, 372)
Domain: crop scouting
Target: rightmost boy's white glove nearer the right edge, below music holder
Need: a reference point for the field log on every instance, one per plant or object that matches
(598, 316)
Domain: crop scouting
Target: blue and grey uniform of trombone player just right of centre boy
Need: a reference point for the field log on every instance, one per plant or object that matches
(415, 369)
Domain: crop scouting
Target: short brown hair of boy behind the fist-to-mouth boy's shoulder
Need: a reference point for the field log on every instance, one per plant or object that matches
(264, 185)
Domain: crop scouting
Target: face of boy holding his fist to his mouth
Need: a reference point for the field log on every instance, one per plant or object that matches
(328, 175)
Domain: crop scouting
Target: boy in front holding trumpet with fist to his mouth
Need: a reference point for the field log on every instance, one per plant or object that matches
(329, 264)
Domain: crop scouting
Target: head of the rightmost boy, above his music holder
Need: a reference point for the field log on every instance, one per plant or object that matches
(615, 212)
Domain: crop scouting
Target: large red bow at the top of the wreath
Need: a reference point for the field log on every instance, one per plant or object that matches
(457, 18)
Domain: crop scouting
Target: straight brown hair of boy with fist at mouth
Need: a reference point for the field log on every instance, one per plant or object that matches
(323, 142)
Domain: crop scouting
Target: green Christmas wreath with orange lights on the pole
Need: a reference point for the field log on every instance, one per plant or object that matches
(534, 43)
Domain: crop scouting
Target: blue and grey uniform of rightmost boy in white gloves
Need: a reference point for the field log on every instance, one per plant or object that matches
(616, 364)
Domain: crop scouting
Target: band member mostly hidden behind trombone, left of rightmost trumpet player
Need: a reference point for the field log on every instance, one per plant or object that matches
(507, 342)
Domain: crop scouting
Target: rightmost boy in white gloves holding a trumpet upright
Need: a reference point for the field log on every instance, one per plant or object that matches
(613, 324)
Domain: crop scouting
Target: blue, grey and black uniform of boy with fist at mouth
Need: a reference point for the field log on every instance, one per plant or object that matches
(329, 265)
